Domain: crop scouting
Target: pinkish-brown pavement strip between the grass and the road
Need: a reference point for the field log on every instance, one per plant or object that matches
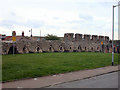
(42, 82)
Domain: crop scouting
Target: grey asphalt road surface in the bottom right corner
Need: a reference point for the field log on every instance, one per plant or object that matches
(103, 81)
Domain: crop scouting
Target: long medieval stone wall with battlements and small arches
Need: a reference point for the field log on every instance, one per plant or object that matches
(70, 43)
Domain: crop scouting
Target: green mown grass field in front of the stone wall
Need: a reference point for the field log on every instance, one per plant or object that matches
(22, 66)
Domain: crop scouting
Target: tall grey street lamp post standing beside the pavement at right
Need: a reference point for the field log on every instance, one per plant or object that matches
(113, 35)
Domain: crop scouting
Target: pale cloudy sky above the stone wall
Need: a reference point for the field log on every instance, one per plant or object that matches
(57, 17)
